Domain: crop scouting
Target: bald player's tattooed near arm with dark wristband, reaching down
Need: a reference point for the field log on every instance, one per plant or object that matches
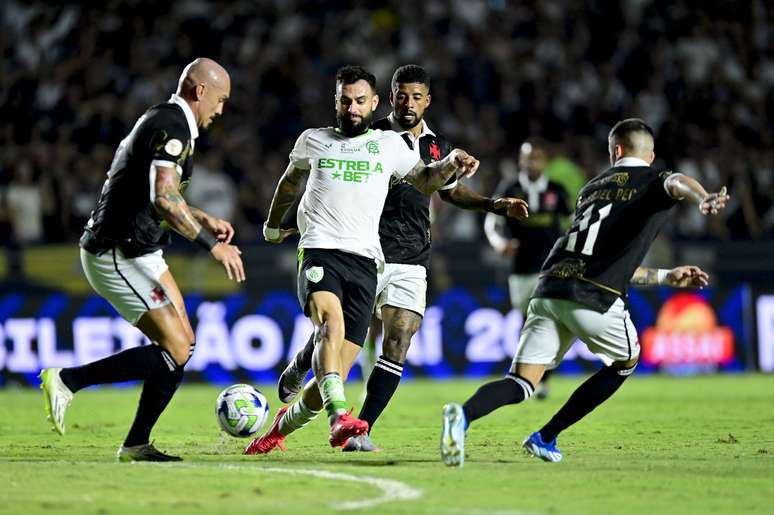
(171, 205)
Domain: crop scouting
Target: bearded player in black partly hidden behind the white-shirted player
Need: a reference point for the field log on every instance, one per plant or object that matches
(404, 232)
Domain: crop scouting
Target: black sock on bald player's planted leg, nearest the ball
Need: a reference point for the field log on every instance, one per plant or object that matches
(157, 391)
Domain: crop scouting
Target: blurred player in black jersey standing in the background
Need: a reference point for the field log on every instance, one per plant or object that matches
(529, 241)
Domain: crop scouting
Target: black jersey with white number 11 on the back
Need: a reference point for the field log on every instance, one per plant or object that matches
(617, 216)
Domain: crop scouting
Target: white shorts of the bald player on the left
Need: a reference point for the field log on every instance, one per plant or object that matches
(132, 286)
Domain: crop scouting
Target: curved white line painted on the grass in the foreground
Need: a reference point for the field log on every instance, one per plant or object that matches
(392, 490)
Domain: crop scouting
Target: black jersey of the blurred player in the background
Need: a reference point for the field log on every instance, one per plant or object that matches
(548, 205)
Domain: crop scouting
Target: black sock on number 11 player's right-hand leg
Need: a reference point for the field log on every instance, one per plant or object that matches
(593, 392)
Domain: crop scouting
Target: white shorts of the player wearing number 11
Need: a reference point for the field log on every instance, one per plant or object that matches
(552, 326)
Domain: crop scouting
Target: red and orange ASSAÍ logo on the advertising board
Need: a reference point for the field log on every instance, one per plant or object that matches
(686, 333)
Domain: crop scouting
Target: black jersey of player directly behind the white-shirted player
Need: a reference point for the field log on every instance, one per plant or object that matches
(404, 228)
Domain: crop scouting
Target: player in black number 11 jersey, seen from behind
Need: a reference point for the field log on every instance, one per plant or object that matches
(582, 289)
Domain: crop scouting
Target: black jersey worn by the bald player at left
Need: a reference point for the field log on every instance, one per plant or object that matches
(125, 216)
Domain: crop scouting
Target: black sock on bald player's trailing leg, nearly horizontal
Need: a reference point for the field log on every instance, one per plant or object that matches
(129, 365)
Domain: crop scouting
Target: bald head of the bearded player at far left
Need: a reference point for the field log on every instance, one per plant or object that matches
(206, 86)
